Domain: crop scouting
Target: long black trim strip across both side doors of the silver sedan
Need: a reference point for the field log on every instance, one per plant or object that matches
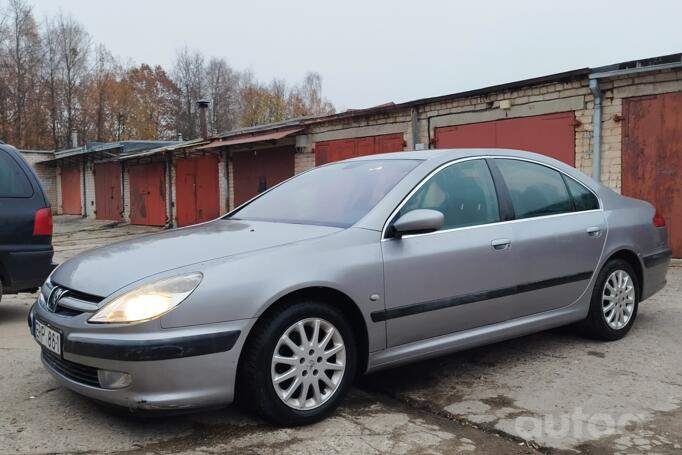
(408, 310)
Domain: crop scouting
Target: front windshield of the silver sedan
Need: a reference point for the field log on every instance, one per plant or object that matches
(333, 195)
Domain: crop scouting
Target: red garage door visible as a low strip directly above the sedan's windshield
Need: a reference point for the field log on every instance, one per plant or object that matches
(341, 149)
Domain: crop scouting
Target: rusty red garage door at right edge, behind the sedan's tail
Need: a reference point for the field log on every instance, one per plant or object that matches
(652, 157)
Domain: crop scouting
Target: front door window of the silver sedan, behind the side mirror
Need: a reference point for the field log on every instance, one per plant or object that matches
(464, 192)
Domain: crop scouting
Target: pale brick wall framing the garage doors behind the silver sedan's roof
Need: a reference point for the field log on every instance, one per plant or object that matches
(547, 98)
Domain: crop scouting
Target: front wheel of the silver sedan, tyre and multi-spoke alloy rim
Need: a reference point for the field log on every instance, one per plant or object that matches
(298, 364)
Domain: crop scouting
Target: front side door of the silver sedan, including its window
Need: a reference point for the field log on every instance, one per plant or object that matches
(450, 280)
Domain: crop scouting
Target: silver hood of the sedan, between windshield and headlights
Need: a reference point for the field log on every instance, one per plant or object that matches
(103, 270)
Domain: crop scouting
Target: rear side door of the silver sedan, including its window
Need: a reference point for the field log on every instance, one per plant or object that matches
(559, 234)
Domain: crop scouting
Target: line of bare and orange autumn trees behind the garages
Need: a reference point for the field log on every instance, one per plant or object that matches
(53, 79)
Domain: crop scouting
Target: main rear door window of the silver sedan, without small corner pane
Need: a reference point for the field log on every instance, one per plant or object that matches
(535, 190)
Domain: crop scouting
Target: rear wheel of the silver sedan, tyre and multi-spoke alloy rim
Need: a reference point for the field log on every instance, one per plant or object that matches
(614, 305)
